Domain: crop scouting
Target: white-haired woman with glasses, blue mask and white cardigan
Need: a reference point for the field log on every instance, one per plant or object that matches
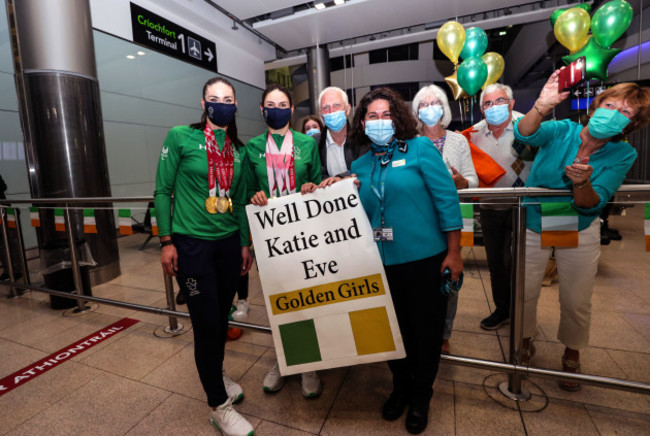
(431, 109)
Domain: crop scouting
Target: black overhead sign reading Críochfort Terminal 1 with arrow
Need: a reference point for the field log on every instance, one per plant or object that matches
(162, 35)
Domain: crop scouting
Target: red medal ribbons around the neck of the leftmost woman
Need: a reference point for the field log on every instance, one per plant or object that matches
(221, 164)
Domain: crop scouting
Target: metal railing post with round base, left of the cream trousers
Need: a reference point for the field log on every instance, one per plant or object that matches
(512, 388)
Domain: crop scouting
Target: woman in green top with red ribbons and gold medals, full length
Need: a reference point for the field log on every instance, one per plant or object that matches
(205, 241)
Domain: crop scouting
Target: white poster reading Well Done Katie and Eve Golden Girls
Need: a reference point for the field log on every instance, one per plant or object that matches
(324, 285)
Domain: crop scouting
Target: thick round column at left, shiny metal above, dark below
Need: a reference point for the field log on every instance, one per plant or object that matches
(60, 111)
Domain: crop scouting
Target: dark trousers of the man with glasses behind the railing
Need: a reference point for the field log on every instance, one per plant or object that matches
(496, 225)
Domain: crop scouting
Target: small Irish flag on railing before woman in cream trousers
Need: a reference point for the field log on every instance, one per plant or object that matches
(559, 225)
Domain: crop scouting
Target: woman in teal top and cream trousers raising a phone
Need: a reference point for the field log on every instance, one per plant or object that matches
(591, 160)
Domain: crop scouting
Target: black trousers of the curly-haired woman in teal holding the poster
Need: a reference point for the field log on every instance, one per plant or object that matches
(421, 311)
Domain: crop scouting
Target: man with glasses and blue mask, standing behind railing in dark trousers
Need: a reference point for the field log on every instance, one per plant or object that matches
(494, 136)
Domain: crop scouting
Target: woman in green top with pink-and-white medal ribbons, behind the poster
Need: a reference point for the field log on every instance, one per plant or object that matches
(281, 161)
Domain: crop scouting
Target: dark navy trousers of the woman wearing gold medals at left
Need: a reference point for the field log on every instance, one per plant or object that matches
(208, 276)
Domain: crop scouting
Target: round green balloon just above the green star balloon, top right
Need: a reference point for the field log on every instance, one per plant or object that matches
(610, 21)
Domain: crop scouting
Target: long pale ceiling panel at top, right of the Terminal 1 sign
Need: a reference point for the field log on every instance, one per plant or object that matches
(363, 17)
